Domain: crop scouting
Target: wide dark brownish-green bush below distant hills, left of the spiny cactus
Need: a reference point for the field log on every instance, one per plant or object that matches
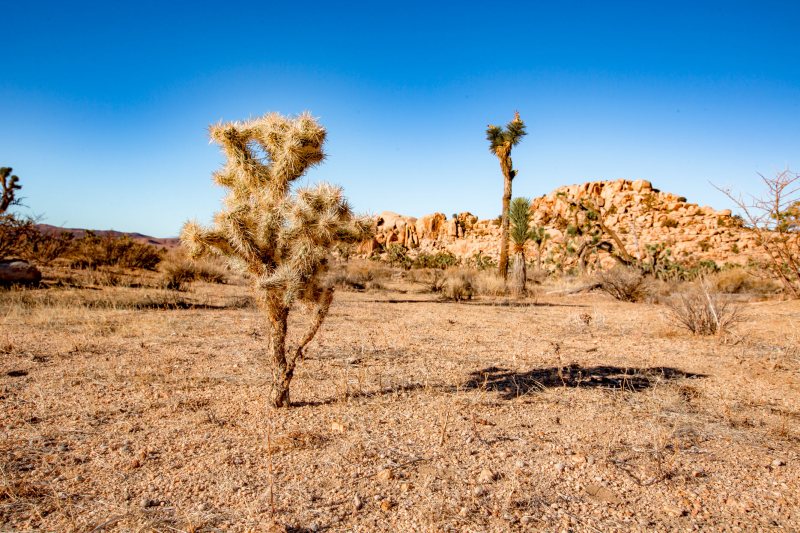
(92, 251)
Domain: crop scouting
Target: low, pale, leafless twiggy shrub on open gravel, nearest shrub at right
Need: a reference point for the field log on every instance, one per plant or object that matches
(702, 311)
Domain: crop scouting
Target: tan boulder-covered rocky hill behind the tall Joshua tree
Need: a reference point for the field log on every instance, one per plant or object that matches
(639, 214)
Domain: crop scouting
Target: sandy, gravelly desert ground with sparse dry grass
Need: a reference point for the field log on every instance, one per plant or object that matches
(140, 409)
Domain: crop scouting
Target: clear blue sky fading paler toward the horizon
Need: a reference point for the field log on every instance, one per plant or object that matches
(104, 106)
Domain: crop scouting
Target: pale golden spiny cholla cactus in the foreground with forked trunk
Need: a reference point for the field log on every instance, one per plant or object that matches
(281, 238)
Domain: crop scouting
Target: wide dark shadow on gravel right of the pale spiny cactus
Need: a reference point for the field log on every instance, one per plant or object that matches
(514, 384)
